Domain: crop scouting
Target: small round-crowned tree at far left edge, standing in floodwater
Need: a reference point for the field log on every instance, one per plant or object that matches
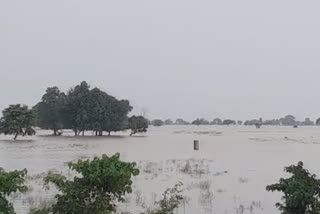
(17, 120)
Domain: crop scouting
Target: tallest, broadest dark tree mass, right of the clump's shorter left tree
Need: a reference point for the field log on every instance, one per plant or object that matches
(95, 110)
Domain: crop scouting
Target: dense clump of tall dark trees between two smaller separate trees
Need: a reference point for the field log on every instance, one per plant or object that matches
(82, 109)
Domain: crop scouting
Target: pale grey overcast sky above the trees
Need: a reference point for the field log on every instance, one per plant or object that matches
(235, 59)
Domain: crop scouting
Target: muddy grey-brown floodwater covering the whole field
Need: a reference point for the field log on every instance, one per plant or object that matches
(227, 175)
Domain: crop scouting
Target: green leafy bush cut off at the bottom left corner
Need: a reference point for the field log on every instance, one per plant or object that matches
(10, 182)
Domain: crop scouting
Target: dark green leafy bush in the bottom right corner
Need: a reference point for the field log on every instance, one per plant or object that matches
(301, 191)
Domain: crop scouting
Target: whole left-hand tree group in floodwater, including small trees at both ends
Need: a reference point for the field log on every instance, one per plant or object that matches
(80, 109)
